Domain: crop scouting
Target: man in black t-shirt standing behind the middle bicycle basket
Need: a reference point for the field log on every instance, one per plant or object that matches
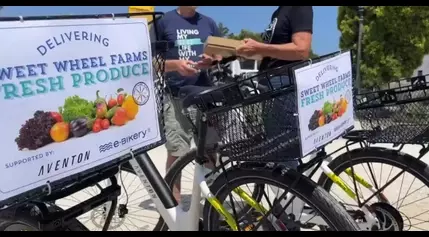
(286, 40)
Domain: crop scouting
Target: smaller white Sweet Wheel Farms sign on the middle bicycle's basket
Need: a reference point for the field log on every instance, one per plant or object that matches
(325, 102)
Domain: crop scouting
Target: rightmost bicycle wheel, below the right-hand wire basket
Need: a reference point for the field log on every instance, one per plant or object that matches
(394, 213)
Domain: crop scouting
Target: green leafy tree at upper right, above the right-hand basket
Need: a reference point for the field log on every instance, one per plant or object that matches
(395, 40)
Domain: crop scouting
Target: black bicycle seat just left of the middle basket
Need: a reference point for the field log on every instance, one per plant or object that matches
(189, 95)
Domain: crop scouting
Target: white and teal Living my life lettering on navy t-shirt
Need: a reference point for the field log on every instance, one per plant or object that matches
(184, 43)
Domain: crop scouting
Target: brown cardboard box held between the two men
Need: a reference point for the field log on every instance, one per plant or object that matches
(224, 47)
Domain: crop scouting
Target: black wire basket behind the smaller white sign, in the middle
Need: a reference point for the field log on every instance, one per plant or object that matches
(255, 126)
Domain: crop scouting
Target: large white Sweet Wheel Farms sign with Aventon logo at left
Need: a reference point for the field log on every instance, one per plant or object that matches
(50, 72)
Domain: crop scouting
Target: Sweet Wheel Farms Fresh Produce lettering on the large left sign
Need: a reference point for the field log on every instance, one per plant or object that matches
(34, 79)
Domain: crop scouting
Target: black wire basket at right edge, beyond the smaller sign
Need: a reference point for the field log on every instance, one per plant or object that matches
(399, 114)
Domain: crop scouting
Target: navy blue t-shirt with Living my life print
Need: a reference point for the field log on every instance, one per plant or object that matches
(186, 37)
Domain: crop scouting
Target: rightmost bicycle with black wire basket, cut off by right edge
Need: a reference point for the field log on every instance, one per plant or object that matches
(390, 116)
